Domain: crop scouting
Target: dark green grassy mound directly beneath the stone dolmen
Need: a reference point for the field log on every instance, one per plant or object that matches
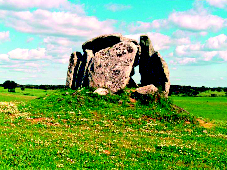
(69, 106)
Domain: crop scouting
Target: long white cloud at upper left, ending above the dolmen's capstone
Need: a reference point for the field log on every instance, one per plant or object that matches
(60, 24)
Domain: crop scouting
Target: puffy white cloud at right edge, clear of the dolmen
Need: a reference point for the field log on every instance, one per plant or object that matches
(213, 50)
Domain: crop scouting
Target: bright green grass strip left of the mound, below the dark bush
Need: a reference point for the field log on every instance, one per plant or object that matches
(22, 96)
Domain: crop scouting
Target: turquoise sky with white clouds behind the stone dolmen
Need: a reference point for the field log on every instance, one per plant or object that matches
(38, 36)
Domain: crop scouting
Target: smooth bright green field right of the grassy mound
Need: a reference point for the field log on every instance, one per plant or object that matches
(207, 107)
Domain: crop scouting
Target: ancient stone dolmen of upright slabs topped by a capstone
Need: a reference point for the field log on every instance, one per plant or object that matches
(109, 61)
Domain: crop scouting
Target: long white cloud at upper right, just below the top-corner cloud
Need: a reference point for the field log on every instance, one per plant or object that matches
(196, 20)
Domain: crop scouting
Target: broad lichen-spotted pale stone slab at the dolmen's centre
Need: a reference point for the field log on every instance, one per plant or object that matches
(112, 66)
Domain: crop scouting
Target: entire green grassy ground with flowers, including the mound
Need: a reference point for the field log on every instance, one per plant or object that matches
(78, 129)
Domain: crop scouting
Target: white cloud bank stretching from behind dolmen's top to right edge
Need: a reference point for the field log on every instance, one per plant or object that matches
(187, 51)
